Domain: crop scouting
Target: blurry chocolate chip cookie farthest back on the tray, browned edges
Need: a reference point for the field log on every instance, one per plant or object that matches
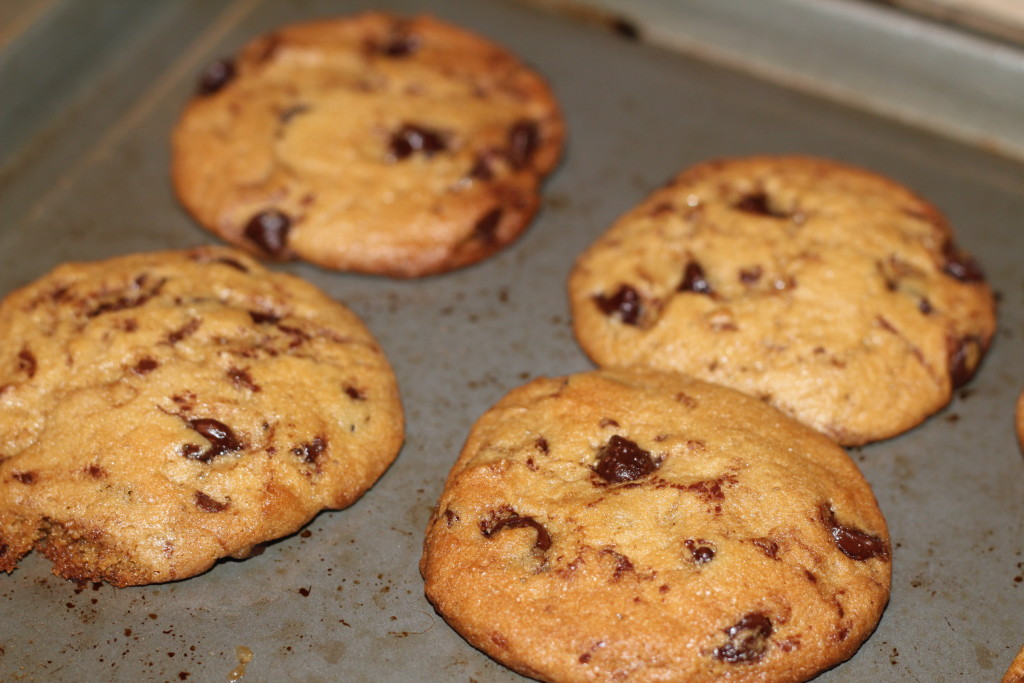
(376, 144)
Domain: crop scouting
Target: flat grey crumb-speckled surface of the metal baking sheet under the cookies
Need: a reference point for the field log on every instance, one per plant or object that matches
(344, 601)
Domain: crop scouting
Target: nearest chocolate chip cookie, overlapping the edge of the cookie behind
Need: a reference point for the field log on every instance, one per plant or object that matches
(631, 525)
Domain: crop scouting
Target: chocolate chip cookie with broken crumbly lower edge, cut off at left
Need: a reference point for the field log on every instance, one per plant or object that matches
(163, 411)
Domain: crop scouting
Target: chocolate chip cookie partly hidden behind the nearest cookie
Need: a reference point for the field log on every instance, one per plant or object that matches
(833, 293)
